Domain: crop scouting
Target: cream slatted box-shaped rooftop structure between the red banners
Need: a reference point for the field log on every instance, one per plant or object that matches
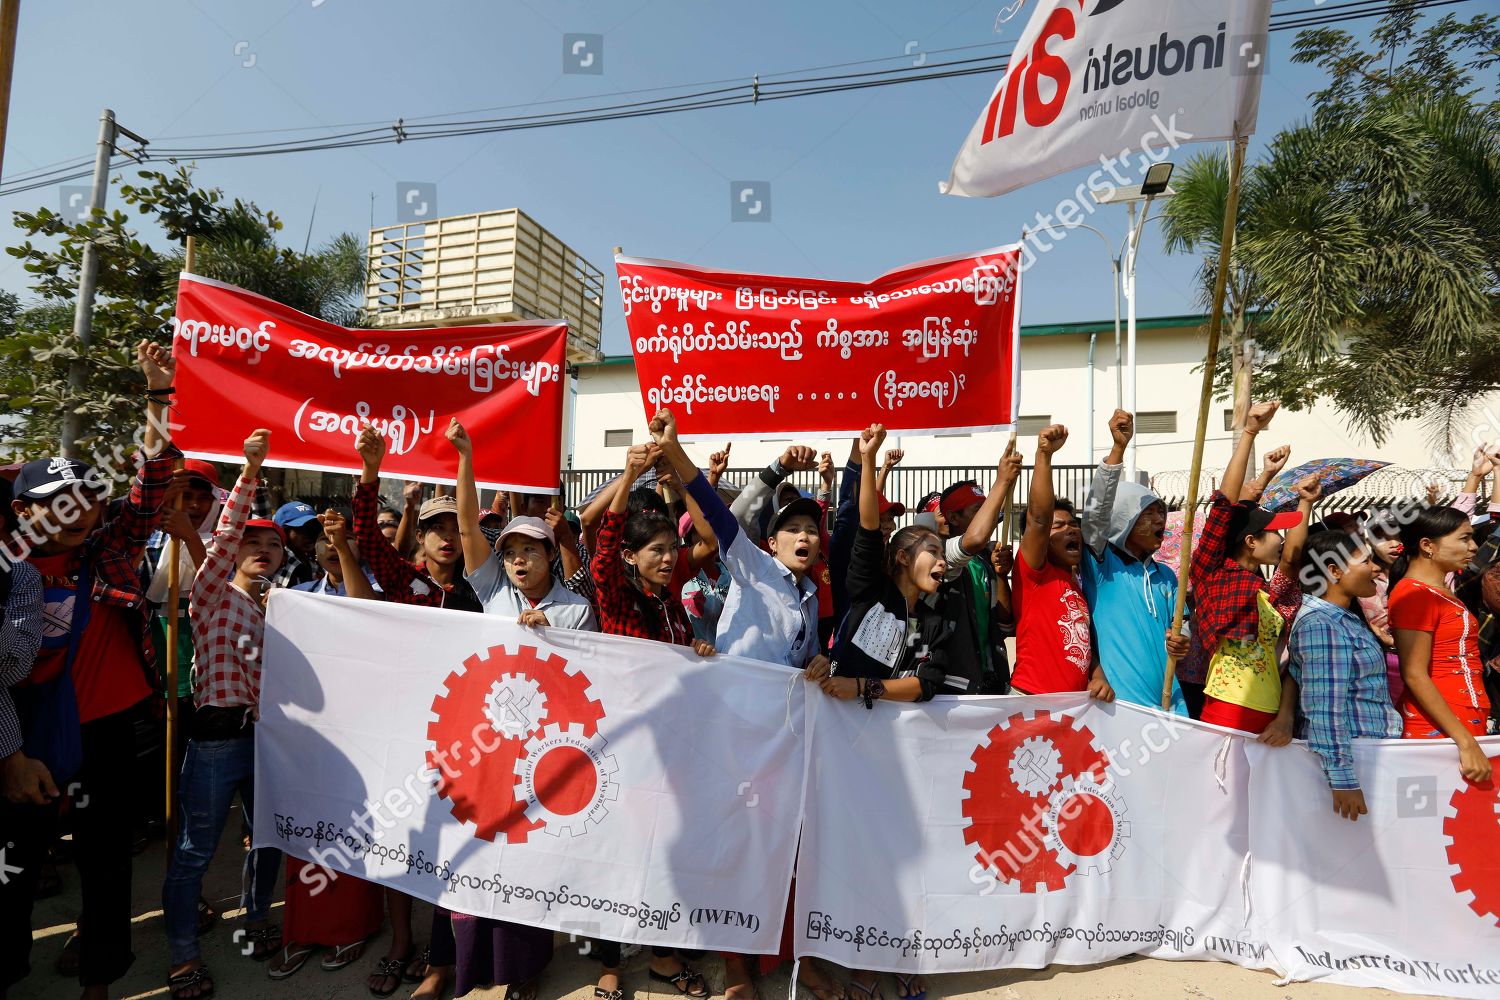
(488, 268)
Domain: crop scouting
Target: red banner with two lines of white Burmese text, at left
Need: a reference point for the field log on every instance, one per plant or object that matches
(247, 362)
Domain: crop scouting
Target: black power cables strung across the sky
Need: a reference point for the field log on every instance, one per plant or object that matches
(781, 86)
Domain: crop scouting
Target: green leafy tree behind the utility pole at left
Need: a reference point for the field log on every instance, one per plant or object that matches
(137, 292)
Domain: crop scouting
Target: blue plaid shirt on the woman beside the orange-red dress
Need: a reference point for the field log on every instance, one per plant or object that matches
(1342, 674)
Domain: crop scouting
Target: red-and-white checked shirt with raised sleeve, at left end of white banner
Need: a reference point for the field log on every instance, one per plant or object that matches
(229, 626)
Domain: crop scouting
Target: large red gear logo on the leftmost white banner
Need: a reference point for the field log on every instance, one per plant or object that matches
(479, 734)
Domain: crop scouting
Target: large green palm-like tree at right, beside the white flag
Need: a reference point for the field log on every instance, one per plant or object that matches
(1367, 253)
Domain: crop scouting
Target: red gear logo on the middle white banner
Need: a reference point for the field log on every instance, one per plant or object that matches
(1039, 804)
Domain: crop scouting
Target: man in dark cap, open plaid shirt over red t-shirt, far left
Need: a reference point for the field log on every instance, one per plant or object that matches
(97, 665)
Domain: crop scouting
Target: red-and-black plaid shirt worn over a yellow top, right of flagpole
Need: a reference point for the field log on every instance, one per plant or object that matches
(1226, 591)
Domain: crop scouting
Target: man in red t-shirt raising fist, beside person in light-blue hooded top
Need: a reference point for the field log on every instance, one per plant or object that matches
(1054, 647)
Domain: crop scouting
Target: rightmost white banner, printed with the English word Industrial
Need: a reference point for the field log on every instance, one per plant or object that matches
(1406, 899)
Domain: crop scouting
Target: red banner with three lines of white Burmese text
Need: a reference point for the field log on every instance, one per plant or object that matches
(928, 347)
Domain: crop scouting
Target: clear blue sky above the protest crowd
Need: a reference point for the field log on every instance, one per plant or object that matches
(854, 178)
